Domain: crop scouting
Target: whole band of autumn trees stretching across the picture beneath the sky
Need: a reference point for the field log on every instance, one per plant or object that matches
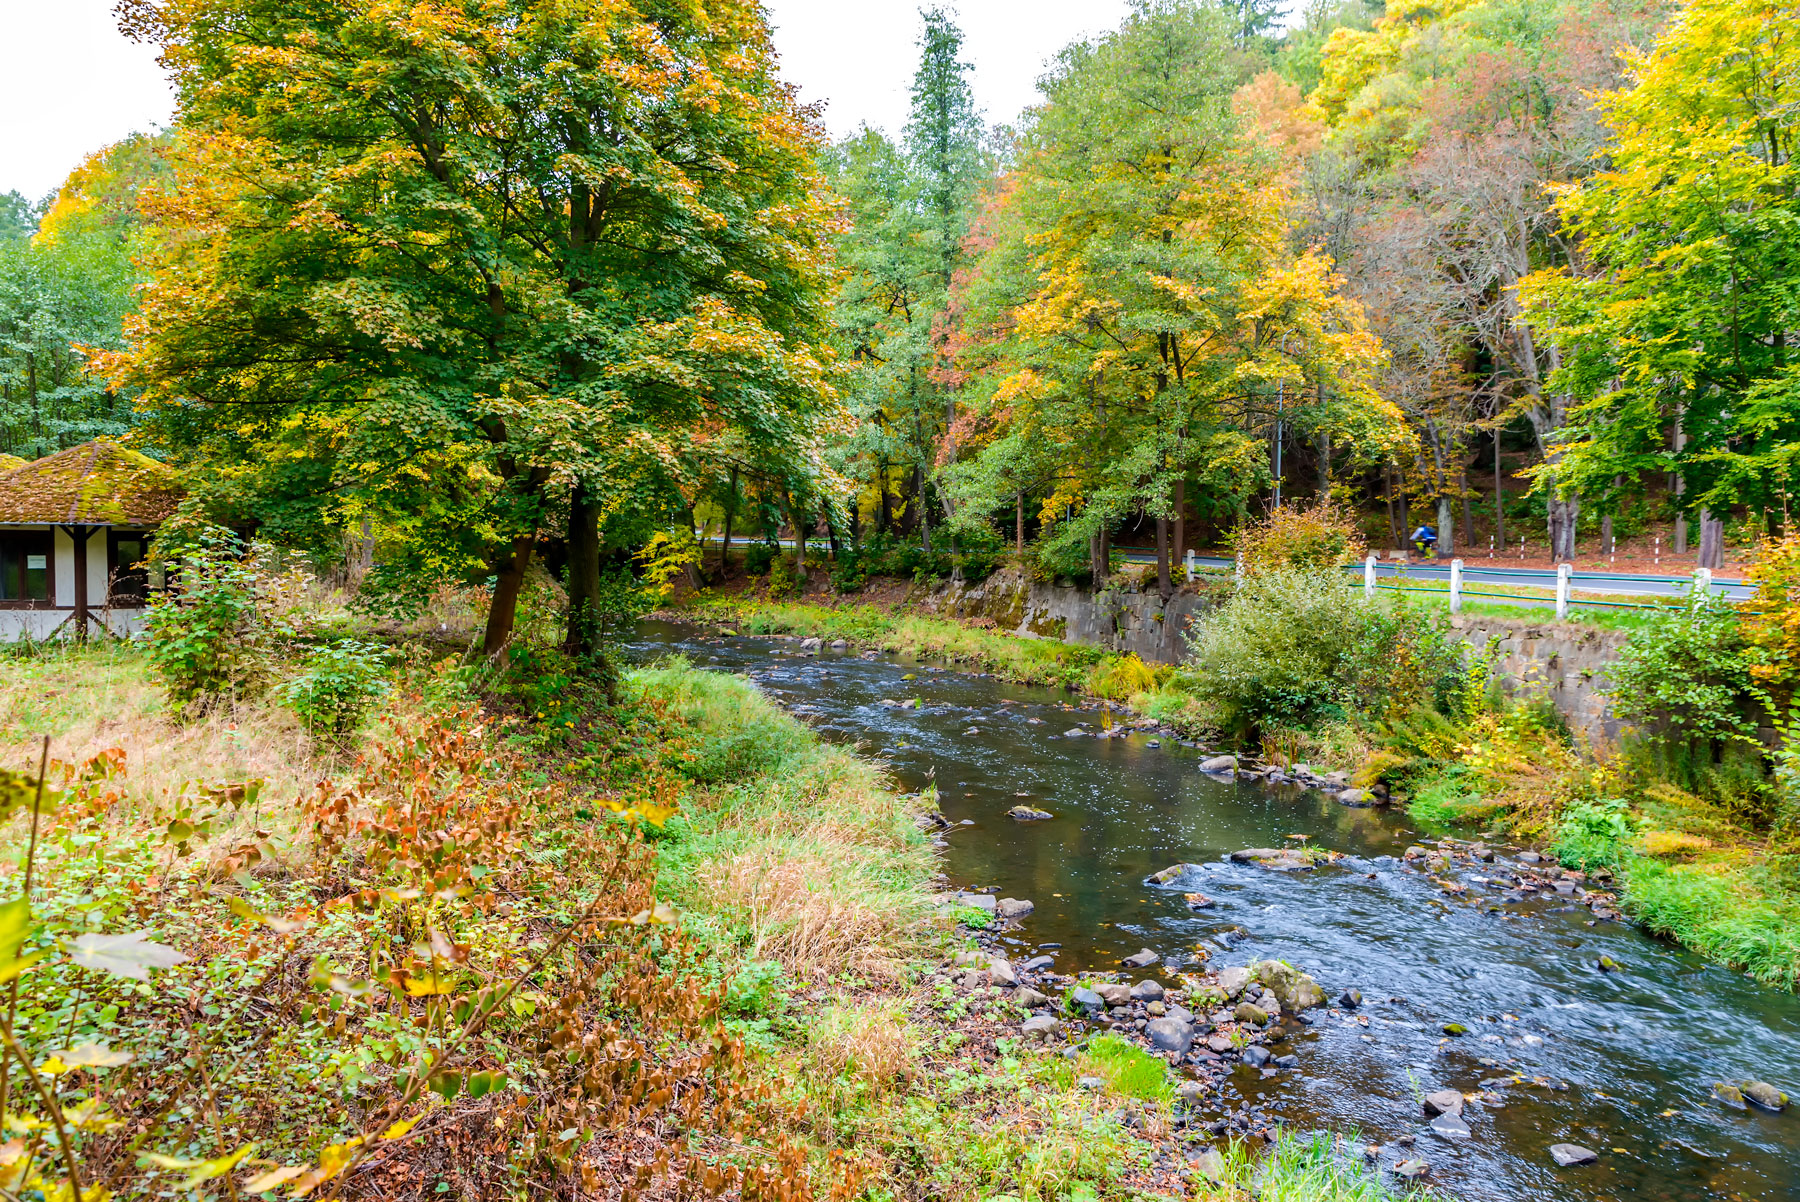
(557, 285)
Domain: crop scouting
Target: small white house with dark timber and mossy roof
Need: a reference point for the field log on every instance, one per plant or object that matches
(75, 534)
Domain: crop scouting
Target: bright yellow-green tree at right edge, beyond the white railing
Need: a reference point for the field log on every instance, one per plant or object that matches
(1687, 305)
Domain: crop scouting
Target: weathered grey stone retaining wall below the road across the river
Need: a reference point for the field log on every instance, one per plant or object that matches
(1565, 659)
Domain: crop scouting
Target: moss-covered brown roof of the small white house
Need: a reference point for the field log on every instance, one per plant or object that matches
(98, 483)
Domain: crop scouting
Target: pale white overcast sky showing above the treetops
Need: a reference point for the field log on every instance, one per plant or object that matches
(71, 82)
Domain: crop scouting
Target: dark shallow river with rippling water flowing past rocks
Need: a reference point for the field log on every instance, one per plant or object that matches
(1621, 1063)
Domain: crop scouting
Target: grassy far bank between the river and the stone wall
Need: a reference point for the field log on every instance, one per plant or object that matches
(1689, 872)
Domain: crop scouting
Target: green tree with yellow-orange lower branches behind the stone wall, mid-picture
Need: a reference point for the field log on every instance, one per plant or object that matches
(1138, 319)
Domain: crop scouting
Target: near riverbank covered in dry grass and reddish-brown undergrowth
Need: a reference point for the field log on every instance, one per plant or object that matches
(697, 933)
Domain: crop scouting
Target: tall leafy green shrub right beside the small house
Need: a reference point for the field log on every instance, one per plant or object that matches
(206, 636)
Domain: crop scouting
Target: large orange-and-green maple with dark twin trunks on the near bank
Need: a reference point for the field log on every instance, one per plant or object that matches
(460, 265)
